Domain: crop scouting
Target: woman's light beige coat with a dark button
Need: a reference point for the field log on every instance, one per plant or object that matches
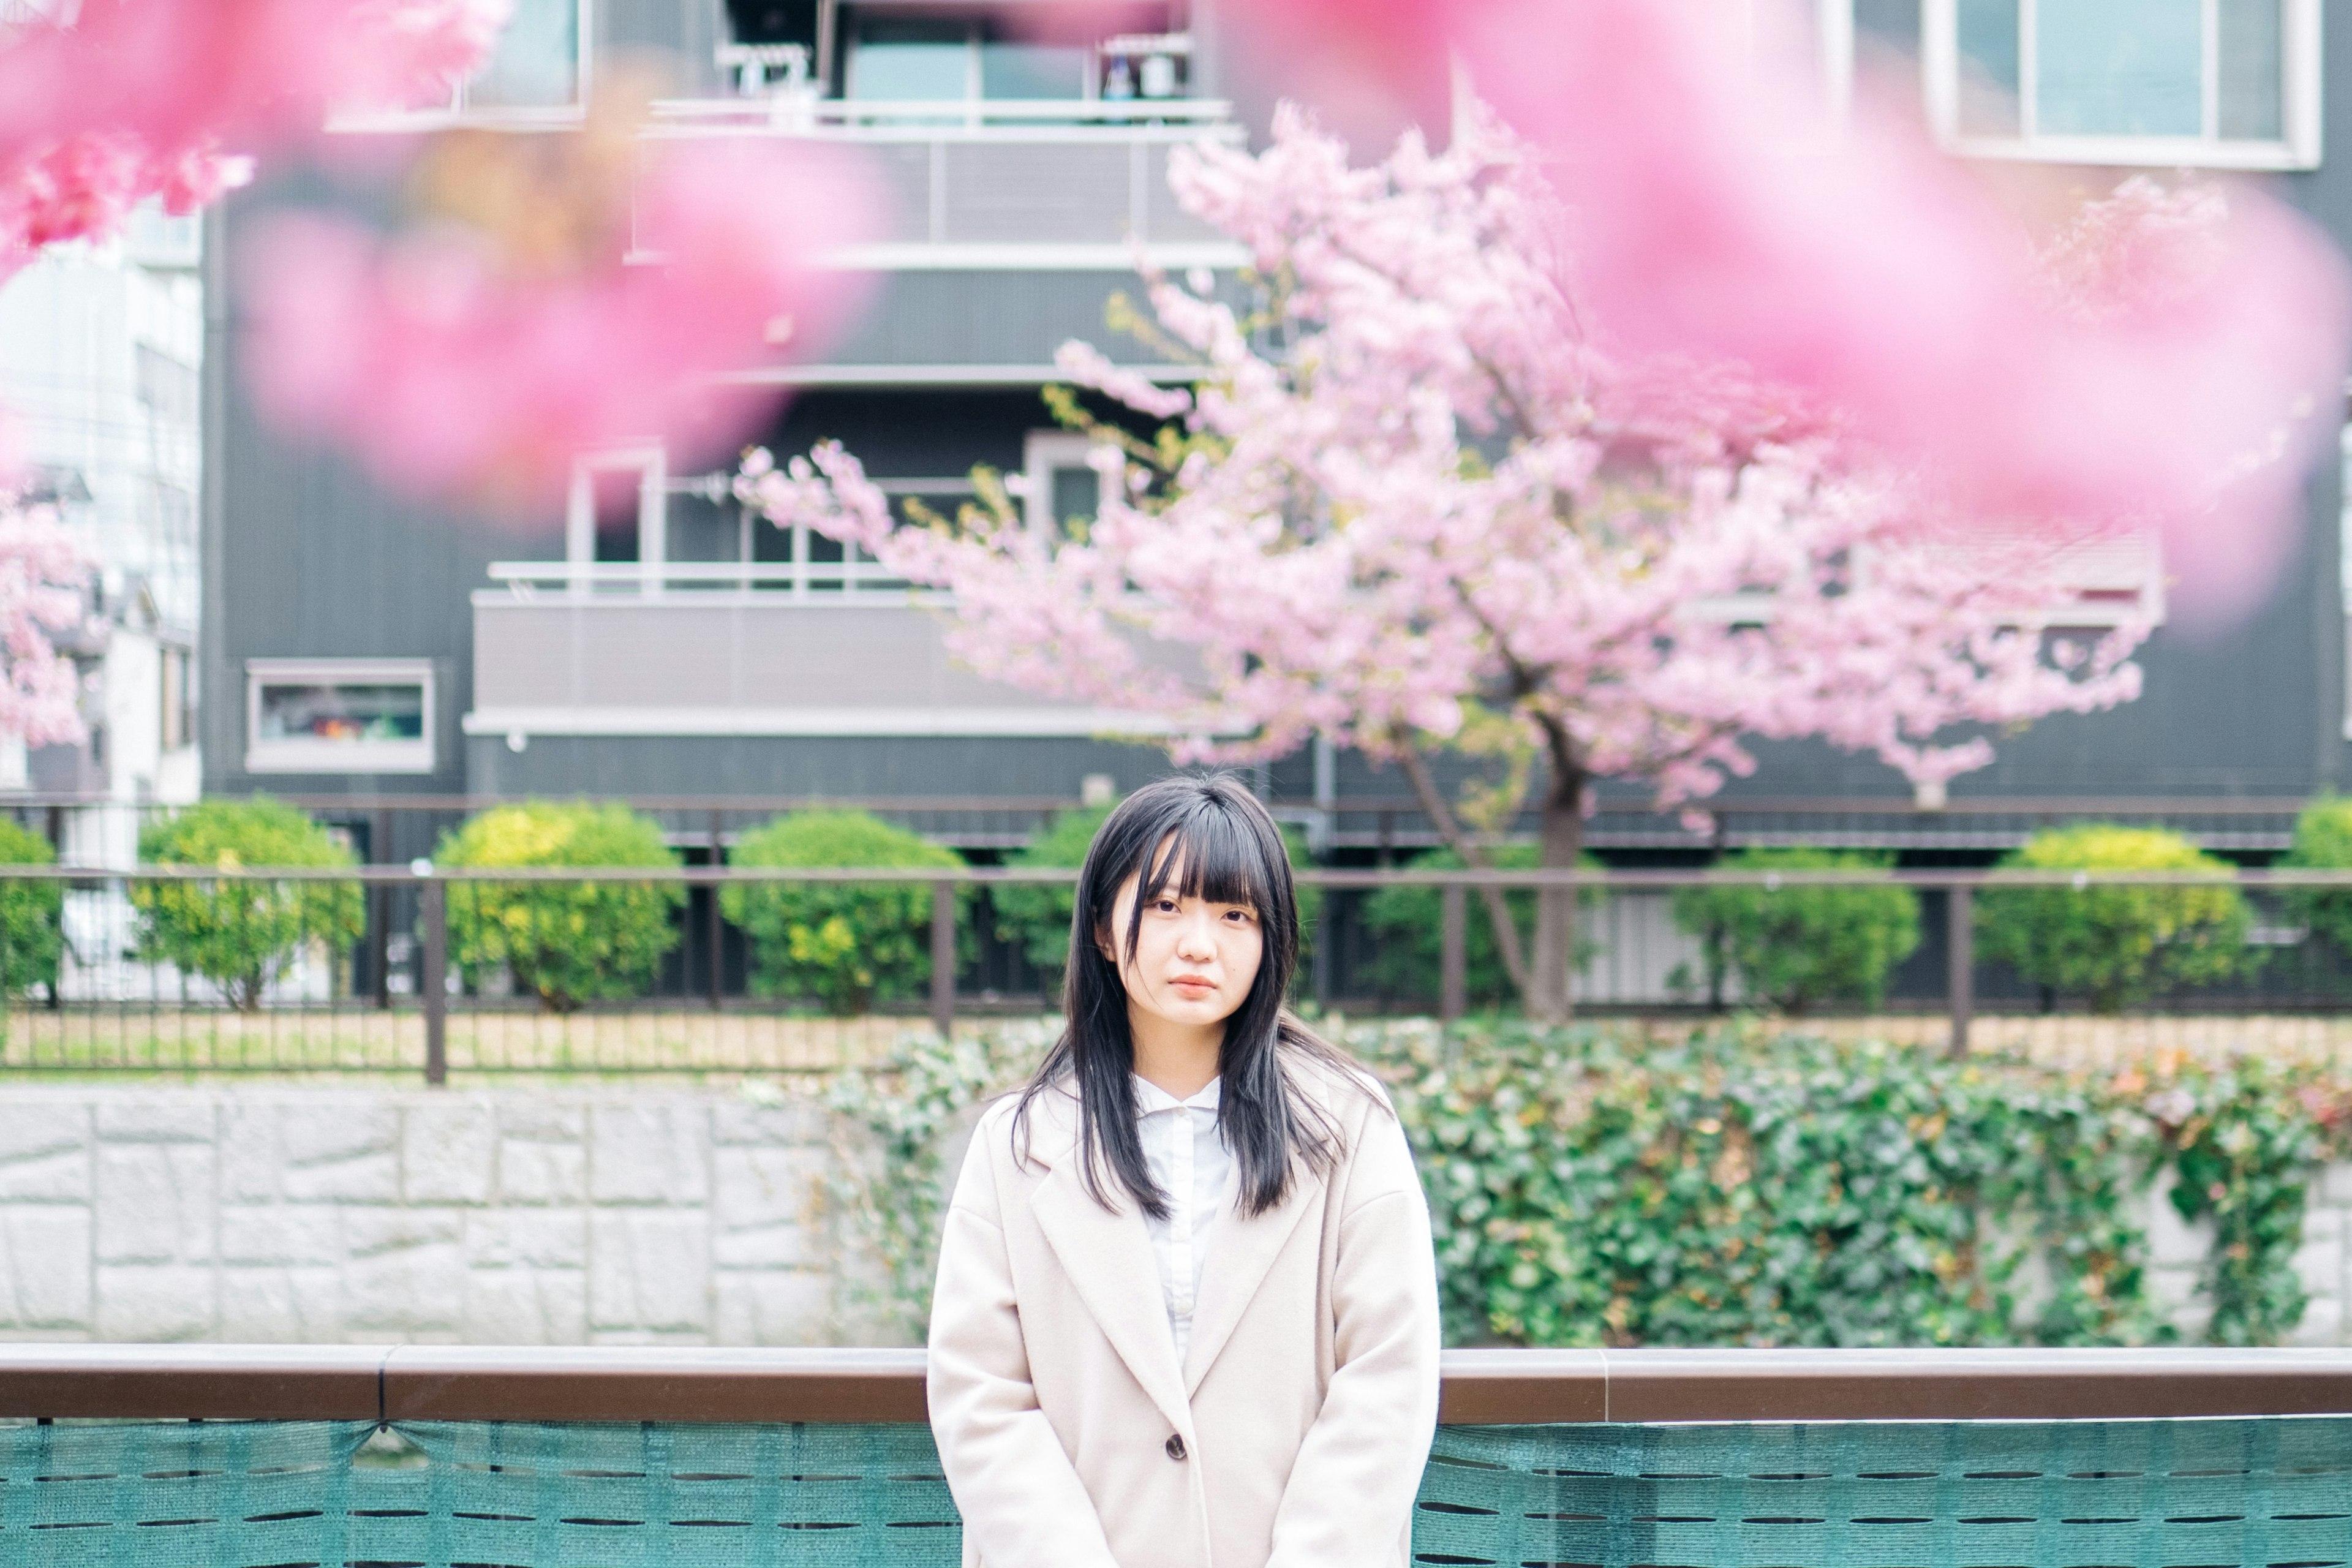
(1299, 1426)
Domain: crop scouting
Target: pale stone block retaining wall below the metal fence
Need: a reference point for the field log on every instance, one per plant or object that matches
(530, 1217)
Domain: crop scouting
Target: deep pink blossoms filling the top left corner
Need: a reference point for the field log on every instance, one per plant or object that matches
(140, 100)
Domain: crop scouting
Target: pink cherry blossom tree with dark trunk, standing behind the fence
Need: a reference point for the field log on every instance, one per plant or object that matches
(1412, 504)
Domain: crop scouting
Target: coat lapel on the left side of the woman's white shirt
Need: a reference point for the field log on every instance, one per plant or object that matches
(1109, 1259)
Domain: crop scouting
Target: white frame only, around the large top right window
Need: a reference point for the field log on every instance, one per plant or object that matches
(2301, 93)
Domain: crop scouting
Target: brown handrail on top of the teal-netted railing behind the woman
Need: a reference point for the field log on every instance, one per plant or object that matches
(613, 1383)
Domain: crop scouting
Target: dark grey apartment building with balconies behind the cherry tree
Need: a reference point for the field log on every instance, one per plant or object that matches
(655, 641)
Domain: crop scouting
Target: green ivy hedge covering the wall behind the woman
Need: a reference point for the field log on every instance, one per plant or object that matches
(1735, 1188)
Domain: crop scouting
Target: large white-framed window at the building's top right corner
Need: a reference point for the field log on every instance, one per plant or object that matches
(2214, 83)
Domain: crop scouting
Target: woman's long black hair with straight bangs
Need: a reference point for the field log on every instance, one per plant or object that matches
(1194, 838)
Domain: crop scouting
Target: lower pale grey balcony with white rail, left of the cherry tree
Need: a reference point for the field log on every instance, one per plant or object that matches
(733, 650)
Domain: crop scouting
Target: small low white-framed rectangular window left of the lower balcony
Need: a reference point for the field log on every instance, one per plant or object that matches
(340, 716)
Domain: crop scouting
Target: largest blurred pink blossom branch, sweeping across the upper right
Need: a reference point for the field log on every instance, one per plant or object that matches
(1718, 215)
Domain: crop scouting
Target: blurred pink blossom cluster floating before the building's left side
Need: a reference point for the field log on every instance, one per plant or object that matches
(453, 363)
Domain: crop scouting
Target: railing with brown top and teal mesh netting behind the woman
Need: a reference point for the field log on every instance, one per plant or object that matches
(1612, 1459)
